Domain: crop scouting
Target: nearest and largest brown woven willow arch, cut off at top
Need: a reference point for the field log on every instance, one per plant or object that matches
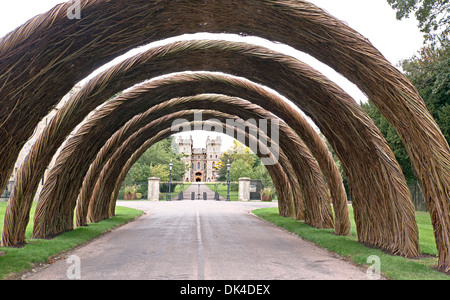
(299, 24)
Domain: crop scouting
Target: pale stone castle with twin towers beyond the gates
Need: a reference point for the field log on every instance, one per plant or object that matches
(201, 161)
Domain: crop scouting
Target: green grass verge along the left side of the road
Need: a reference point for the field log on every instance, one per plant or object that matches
(16, 260)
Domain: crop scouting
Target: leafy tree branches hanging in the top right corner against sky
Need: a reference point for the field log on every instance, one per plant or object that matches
(433, 17)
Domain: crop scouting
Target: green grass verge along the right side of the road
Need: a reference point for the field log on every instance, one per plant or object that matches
(392, 267)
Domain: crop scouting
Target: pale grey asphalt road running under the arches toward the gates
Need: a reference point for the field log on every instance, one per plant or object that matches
(196, 240)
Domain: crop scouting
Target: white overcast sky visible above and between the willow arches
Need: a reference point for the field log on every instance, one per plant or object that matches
(374, 19)
